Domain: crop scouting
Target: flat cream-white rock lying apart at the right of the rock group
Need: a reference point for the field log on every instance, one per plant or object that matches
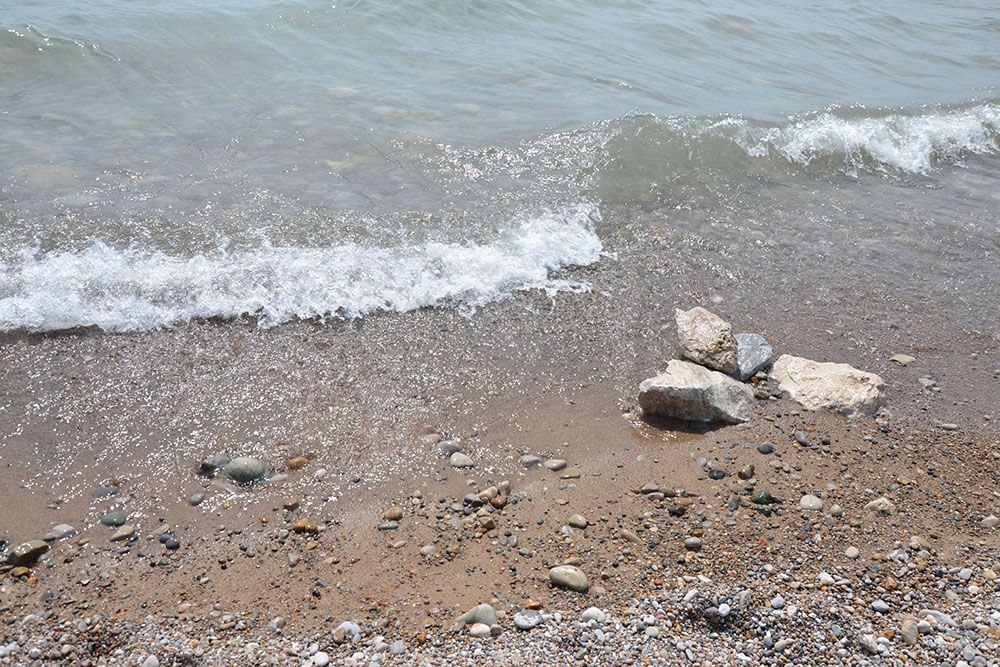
(828, 386)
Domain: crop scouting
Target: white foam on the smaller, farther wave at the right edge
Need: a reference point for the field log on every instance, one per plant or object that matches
(911, 144)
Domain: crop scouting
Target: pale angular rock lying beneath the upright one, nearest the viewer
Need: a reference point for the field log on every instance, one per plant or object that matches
(693, 393)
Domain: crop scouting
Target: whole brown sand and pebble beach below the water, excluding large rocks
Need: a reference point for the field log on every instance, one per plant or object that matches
(363, 519)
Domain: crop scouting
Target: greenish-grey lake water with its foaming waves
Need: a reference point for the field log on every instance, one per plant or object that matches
(277, 161)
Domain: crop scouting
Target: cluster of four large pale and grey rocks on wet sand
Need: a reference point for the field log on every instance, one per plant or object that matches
(712, 386)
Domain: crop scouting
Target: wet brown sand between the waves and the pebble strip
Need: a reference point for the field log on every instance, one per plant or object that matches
(852, 273)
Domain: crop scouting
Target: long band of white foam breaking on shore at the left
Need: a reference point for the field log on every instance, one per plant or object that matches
(136, 289)
